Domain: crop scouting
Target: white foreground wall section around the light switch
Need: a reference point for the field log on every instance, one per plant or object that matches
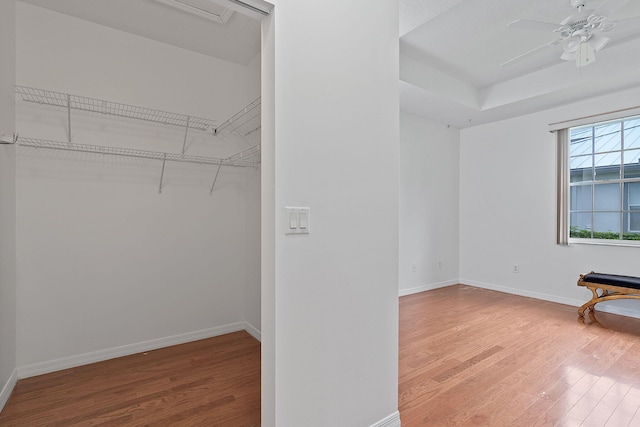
(330, 299)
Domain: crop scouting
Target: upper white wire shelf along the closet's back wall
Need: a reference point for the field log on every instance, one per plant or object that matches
(84, 103)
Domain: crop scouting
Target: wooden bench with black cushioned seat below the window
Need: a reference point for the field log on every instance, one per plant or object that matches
(611, 286)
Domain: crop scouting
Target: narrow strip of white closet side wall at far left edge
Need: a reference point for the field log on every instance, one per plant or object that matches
(7, 204)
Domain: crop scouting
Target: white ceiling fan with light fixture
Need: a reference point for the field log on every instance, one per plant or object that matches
(579, 34)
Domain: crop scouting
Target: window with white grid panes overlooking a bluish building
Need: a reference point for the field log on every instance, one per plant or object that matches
(604, 180)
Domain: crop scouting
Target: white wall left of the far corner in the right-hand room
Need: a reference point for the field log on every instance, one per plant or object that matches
(429, 195)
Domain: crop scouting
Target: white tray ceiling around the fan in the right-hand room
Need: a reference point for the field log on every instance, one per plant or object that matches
(451, 51)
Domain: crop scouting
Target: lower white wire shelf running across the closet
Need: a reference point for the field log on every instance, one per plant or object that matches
(236, 160)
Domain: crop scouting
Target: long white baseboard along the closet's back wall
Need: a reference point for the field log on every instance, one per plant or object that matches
(125, 350)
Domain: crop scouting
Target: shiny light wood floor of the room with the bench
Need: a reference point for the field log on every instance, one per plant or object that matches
(474, 357)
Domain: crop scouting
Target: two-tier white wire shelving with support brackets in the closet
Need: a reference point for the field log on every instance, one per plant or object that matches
(245, 158)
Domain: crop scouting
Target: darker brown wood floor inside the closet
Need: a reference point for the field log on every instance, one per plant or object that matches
(213, 382)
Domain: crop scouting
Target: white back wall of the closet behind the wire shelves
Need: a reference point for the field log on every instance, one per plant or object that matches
(106, 264)
